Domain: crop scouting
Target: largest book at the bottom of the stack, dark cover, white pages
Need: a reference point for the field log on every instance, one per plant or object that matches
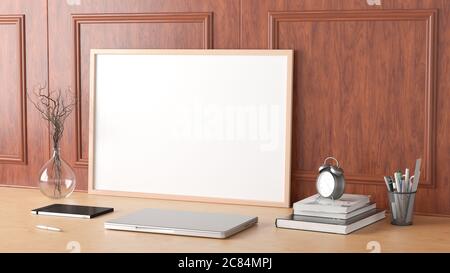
(351, 226)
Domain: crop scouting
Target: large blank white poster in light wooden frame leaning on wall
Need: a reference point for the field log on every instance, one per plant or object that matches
(207, 125)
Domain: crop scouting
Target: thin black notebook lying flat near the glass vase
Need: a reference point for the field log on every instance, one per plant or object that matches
(72, 211)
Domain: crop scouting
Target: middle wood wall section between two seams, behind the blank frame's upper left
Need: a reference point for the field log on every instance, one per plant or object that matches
(74, 30)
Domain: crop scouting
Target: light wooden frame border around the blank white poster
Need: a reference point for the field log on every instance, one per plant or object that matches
(289, 85)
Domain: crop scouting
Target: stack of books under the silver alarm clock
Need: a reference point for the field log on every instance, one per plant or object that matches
(351, 212)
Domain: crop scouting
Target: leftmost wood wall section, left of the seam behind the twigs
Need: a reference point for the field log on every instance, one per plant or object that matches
(23, 65)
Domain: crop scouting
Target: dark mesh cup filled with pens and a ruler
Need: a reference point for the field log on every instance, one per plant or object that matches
(402, 191)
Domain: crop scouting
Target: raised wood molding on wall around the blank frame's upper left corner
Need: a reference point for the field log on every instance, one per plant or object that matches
(205, 18)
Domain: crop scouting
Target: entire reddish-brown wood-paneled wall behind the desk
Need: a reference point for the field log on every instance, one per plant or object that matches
(371, 83)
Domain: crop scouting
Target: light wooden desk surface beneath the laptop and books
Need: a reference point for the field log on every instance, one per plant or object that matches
(18, 232)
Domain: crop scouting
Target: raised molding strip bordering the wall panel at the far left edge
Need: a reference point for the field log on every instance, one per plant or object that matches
(19, 22)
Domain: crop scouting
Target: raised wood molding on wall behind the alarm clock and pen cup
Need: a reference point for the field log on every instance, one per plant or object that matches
(429, 18)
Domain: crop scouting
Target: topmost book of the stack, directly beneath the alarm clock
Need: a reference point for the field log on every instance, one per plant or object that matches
(346, 204)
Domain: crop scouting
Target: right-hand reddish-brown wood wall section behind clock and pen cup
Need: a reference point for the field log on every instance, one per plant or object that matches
(350, 76)
